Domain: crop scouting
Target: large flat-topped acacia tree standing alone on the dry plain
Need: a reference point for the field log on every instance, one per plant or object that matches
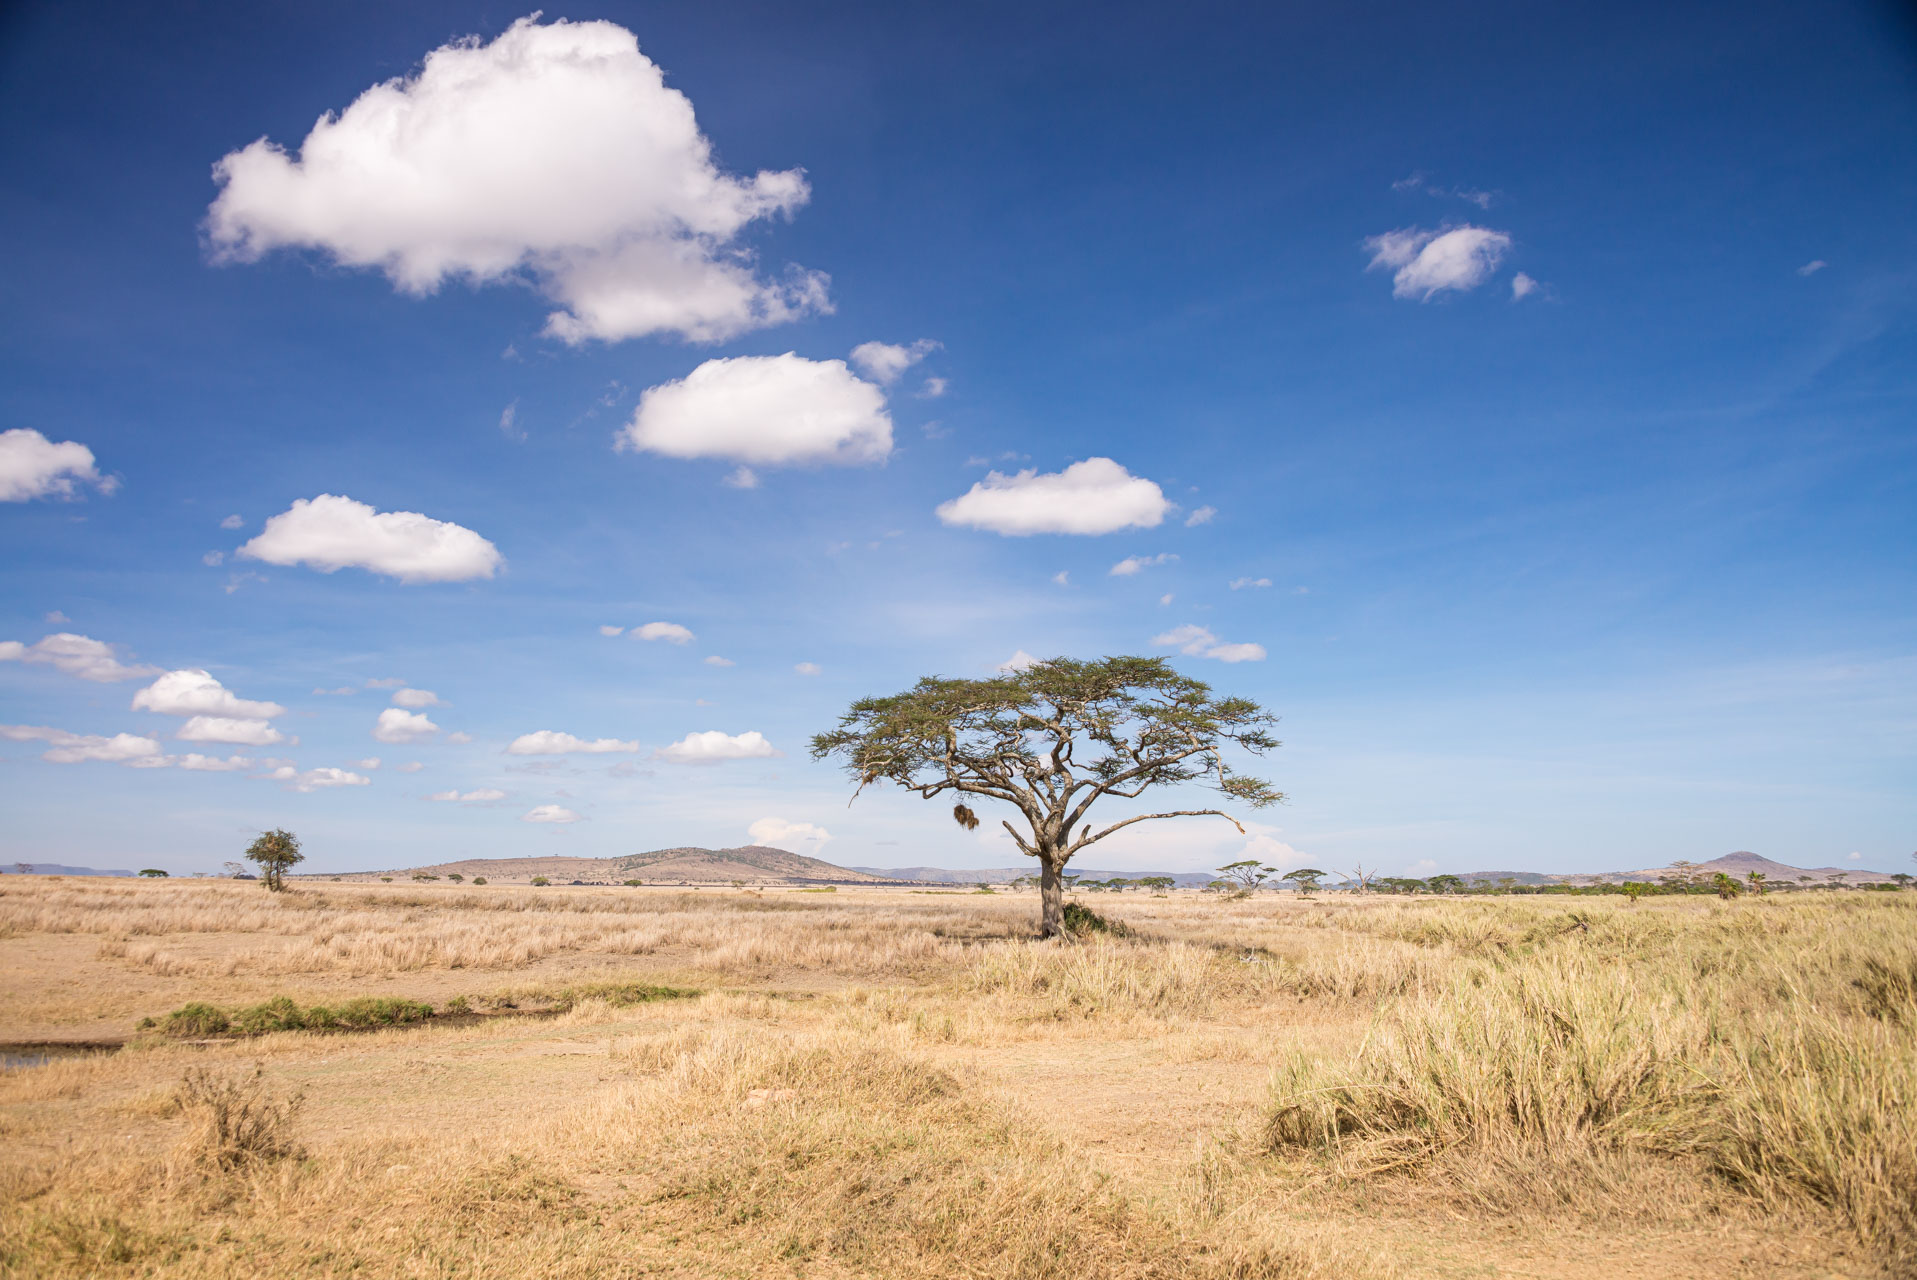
(1051, 743)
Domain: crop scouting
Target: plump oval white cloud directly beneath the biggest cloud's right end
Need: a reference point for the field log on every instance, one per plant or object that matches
(770, 411)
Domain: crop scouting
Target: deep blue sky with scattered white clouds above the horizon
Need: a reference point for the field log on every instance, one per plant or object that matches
(1515, 400)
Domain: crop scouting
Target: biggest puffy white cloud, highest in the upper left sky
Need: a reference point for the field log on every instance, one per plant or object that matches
(557, 154)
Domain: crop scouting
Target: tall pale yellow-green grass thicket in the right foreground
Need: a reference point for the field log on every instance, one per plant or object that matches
(1780, 1053)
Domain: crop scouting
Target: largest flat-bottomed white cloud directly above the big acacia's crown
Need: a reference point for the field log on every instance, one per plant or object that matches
(1088, 497)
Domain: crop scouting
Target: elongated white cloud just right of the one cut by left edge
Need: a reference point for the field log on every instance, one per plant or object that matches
(331, 534)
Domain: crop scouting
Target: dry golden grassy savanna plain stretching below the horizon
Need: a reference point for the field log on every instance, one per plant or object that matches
(892, 1084)
